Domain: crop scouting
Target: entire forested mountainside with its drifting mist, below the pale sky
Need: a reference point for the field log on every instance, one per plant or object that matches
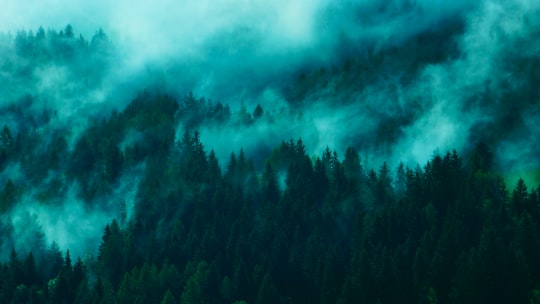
(383, 175)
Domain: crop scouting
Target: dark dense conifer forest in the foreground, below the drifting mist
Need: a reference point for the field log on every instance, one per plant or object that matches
(304, 229)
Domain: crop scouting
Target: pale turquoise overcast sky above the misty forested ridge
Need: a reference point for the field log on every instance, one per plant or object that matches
(167, 27)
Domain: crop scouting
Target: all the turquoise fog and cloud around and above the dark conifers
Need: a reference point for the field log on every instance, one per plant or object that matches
(244, 53)
